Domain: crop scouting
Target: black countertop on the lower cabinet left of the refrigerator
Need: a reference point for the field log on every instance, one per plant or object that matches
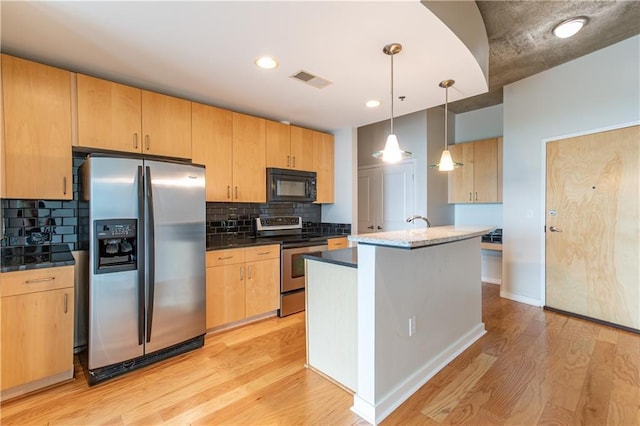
(36, 257)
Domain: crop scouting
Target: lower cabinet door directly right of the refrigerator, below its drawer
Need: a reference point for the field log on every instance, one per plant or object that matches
(225, 294)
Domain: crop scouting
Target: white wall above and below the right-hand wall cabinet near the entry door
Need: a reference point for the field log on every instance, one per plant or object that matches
(479, 124)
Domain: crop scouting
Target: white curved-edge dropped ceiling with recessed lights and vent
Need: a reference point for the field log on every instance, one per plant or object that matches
(204, 51)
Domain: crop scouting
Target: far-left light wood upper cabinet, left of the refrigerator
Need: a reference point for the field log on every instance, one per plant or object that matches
(37, 130)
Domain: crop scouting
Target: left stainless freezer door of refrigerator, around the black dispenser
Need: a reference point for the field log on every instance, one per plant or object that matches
(113, 297)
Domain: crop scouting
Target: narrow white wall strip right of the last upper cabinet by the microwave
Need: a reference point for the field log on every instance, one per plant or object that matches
(345, 179)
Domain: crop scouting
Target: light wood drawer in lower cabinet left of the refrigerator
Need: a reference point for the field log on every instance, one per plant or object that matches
(34, 280)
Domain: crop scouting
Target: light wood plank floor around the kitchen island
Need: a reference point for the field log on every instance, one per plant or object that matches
(532, 367)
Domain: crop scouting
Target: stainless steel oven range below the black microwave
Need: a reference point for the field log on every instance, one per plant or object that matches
(294, 243)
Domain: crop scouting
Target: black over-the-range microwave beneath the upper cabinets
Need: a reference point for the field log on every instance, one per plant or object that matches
(291, 185)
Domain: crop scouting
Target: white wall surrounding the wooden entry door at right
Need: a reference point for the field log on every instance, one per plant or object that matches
(597, 91)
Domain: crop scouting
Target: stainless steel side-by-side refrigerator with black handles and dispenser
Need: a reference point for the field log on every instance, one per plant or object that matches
(146, 298)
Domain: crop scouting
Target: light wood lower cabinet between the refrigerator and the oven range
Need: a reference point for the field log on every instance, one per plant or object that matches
(242, 283)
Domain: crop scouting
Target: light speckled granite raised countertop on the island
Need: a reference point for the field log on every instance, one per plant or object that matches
(416, 238)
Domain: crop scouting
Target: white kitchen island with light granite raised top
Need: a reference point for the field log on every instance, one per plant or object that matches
(416, 304)
